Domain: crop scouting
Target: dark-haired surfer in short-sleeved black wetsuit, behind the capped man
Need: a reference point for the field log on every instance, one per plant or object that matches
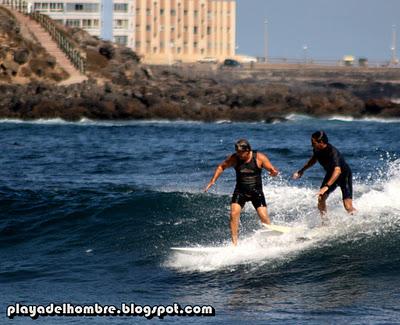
(338, 172)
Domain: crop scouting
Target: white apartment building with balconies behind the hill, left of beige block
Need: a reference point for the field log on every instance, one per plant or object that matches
(87, 14)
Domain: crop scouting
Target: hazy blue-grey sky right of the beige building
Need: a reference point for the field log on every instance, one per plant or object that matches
(329, 28)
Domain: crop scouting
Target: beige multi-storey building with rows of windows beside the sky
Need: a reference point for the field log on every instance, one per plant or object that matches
(168, 31)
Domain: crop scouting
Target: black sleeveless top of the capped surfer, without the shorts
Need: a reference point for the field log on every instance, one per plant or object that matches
(248, 175)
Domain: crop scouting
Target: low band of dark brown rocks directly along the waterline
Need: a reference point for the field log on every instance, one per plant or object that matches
(205, 100)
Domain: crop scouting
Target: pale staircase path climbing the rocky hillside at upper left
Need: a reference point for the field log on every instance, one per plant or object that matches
(45, 40)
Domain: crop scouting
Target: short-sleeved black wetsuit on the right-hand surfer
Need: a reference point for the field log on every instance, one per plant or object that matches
(329, 158)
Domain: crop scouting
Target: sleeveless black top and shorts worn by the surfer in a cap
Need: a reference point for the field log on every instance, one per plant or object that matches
(248, 183)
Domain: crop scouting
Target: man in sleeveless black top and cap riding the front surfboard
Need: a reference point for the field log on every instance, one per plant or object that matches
(248, 165)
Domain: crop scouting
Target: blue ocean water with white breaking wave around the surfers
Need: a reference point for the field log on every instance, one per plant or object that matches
(89, 211)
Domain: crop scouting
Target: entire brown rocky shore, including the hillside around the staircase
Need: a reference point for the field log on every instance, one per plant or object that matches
(120, 88)
